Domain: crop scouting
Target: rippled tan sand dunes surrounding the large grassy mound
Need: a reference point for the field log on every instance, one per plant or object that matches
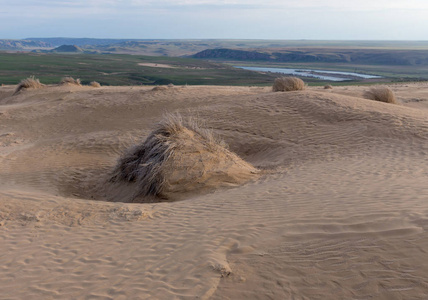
(340, 210)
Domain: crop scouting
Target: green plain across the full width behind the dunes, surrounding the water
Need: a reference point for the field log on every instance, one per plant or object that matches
(124, 69)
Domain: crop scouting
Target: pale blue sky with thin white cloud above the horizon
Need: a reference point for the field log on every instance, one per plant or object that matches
(210, 19)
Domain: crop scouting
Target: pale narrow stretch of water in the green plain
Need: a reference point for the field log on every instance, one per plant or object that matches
(320, 74)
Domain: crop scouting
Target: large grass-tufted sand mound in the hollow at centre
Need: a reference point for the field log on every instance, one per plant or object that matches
(179, 157)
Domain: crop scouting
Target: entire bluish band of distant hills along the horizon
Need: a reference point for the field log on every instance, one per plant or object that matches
(396, 53)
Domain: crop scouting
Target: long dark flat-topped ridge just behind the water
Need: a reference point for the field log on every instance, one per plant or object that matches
(325, 55)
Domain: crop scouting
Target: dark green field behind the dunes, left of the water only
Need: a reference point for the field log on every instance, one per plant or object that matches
(118, 69)
